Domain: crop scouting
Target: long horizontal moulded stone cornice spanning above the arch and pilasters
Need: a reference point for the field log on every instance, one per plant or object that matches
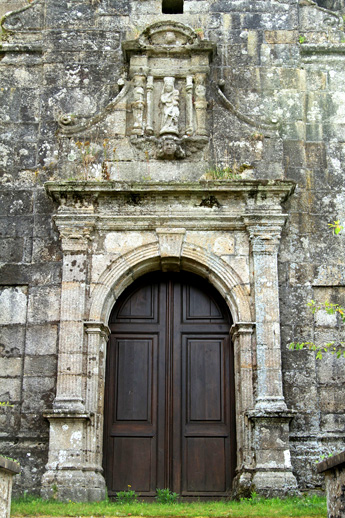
(207, 205)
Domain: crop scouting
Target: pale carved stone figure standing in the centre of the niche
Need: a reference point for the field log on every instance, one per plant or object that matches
(170, 104)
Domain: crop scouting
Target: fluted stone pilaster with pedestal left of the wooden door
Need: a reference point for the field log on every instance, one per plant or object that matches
(70, 473)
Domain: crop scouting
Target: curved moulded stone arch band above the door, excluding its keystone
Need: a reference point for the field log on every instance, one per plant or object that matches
(147, 258)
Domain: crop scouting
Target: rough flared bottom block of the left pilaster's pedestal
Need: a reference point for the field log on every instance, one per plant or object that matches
(74, 485)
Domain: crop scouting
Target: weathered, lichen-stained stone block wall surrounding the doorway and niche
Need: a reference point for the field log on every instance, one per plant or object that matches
(278, 113)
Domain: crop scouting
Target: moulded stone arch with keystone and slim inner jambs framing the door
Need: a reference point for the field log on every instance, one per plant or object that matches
(169, 253)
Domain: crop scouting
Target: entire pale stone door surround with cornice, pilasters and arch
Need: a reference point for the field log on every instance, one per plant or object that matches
(95, 273)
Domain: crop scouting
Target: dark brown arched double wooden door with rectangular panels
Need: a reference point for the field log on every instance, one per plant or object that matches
(169, 401)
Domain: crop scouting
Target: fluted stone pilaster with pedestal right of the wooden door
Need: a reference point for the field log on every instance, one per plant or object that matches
(270, 417)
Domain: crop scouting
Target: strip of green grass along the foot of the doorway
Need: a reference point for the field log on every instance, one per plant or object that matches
(306, 507)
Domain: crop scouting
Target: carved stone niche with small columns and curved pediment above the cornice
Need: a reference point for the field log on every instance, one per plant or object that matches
(168, 68)
